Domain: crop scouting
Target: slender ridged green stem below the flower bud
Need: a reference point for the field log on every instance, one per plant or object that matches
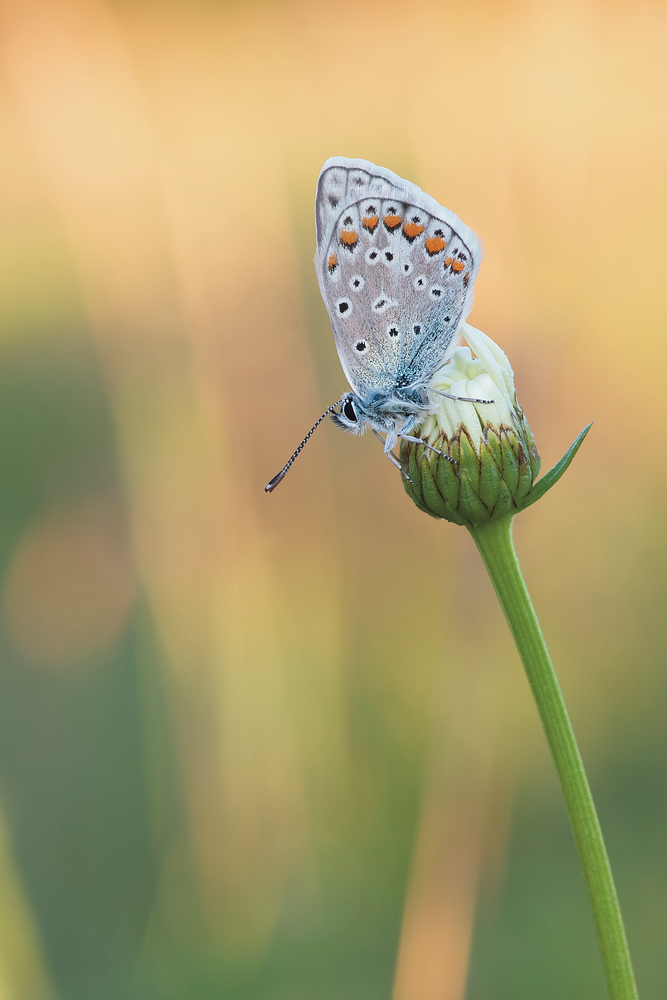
(494, 541)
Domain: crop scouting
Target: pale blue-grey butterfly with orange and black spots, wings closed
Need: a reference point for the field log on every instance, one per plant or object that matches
(396, 271)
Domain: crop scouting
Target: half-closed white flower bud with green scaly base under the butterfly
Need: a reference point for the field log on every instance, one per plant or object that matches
(485, 462)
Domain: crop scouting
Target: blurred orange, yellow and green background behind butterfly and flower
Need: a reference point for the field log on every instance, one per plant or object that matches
(281, 747)
